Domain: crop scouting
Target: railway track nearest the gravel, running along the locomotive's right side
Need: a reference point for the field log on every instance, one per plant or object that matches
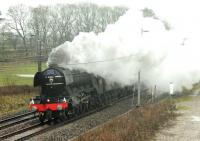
(38, 128)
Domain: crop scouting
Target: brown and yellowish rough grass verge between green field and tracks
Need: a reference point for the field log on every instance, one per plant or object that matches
(15, 98)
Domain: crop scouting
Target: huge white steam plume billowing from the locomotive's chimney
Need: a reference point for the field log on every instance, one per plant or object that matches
(136, 43)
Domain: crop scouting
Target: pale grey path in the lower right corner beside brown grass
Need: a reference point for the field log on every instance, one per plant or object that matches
(187, 126)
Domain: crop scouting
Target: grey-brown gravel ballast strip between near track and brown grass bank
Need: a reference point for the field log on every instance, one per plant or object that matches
(78, 127)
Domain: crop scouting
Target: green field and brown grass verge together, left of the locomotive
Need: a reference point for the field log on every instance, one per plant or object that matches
(16, 91)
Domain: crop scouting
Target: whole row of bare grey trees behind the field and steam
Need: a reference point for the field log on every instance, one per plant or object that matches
(53, 25)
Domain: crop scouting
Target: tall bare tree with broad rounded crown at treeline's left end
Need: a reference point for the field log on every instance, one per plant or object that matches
(18, 17)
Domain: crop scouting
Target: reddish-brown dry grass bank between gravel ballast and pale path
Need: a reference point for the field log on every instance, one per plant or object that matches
(140, 124)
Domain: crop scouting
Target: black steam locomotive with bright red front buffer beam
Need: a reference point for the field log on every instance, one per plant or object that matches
(65, 93)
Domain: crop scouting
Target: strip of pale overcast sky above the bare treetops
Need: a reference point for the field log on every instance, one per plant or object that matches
(5, 4)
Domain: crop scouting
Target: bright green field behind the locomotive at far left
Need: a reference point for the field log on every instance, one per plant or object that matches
(9, 71)
